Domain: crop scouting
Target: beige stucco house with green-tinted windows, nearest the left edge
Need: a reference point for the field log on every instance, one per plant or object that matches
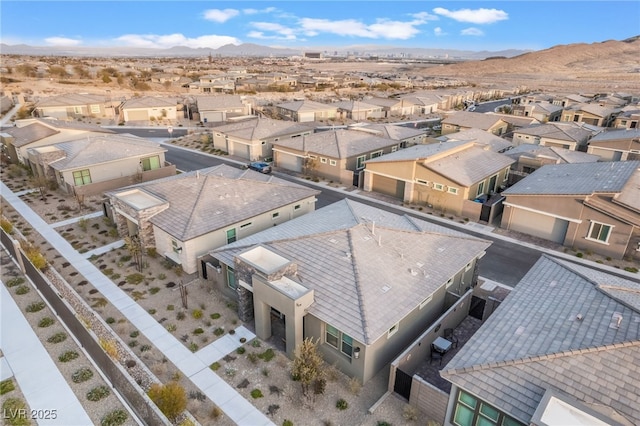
(90, 166)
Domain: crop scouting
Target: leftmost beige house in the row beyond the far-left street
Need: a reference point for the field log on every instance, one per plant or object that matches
(71, 106)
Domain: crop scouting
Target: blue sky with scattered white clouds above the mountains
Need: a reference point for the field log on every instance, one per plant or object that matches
(322, 24)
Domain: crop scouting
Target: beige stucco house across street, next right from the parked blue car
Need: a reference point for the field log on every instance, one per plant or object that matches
(334, 155)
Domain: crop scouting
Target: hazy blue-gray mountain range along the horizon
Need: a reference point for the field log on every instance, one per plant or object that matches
(249, 49)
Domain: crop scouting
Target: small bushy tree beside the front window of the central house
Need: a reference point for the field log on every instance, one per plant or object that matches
(307, 368)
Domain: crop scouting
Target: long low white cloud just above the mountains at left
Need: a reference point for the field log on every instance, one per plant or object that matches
(171, 40)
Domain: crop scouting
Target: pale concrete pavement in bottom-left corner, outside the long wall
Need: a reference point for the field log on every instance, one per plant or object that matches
(40, 381)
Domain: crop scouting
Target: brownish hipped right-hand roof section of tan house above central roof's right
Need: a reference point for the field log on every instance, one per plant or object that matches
(470, 165)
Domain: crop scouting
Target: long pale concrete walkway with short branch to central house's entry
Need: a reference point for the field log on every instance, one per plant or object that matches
(192, 365)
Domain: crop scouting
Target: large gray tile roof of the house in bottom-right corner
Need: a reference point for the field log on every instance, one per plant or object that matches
(534, 342)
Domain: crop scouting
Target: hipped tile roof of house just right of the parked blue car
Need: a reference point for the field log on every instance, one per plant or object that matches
(338, 143)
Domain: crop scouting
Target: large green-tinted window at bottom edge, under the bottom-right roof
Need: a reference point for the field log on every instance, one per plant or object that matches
(471, 411)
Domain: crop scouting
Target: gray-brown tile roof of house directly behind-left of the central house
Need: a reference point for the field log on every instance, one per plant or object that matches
(210, 199)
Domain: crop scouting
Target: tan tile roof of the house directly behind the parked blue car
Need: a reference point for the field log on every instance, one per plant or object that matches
(262, 128)
